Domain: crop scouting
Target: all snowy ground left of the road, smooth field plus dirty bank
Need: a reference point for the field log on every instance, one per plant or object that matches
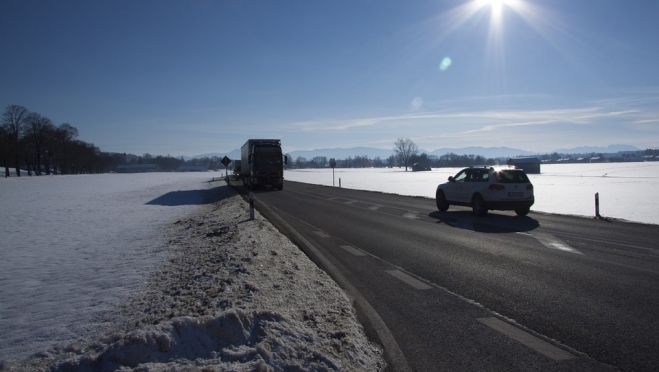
(162, 271)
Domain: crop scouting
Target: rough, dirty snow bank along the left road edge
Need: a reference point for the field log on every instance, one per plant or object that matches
(232, 295)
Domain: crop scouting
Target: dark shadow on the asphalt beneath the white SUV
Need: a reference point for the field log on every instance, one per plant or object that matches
(493, 223)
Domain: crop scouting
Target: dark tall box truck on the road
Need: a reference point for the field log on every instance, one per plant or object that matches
(262, 164)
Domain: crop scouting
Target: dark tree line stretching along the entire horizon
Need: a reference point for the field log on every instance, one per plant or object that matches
(31, 141)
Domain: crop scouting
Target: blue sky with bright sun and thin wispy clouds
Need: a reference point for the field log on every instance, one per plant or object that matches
(201, 76)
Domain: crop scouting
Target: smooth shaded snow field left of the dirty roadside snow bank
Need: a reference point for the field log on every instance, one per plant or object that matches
(60, 232)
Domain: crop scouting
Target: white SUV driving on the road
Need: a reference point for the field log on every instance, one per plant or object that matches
(486, 188)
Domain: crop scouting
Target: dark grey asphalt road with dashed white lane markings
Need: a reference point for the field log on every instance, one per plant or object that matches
(451, 291)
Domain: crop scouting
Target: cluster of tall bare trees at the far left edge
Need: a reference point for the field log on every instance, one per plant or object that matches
(30, 141)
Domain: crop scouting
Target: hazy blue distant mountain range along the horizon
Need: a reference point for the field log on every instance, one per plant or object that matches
(487, 152)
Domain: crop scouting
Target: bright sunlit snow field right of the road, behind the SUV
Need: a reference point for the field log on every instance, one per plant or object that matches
(626, 190)
